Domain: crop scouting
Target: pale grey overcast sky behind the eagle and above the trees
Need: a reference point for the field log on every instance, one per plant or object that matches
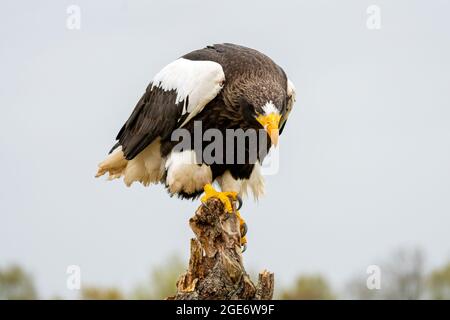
(365, 156)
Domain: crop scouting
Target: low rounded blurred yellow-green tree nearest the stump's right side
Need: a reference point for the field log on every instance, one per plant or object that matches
(309, 287)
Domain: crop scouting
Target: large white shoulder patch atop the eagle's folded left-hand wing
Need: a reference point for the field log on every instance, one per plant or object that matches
(201, 81)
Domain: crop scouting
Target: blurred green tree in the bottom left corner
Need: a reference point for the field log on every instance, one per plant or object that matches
(16, 284)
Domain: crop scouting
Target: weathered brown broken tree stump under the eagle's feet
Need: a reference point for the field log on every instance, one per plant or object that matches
(216, 270)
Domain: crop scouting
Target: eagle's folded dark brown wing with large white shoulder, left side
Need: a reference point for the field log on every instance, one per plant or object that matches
(175, 95)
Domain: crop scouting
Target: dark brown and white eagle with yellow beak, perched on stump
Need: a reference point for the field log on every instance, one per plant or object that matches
(222, 87)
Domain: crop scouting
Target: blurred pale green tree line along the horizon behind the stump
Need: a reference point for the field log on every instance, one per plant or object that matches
(403, 277)
